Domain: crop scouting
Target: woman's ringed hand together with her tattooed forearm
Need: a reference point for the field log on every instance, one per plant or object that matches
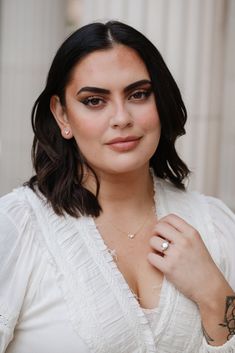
(188, 265)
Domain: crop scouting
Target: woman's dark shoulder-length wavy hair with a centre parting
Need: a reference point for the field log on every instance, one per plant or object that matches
(58, 163)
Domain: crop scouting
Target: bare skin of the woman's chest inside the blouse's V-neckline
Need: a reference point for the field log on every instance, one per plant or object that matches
(130, 256)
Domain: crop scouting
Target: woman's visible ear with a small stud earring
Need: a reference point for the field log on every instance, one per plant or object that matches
(60, 116)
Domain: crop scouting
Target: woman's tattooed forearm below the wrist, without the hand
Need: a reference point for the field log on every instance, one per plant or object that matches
(218, 316)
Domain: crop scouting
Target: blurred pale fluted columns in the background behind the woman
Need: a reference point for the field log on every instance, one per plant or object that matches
(197, 41)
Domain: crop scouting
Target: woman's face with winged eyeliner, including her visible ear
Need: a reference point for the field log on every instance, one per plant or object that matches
(110, 110)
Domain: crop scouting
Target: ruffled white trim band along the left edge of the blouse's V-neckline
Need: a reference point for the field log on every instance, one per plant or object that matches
(136, 322)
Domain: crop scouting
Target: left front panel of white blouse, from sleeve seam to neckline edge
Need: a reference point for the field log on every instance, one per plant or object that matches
(84, 269)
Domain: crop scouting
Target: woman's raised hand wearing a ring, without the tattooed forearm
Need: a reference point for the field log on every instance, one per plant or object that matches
(186, 263)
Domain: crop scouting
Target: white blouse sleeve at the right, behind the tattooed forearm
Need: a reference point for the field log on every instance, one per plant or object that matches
(223, 220)
